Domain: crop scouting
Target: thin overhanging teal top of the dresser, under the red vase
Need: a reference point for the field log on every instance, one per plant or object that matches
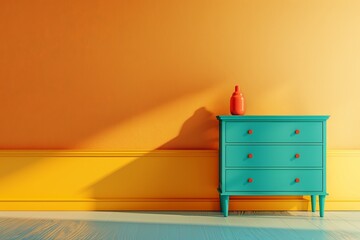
(273, 117)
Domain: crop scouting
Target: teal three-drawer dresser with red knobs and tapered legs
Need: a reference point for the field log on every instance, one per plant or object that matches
(272, 156)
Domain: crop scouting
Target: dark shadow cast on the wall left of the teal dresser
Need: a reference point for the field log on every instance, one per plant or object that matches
(160, 176)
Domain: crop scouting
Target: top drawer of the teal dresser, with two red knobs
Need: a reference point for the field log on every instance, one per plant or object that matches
(281, 132)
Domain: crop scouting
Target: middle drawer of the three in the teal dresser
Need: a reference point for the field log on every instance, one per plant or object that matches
(273, 156)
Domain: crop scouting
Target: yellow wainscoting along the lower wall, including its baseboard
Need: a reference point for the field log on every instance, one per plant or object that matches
(148, 180)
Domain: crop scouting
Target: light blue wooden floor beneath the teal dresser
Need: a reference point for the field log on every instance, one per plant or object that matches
(179, 225)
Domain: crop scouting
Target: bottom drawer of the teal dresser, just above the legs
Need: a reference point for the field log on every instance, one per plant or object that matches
(266, 180)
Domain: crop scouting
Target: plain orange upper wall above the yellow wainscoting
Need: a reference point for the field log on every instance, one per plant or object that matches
(115, 74)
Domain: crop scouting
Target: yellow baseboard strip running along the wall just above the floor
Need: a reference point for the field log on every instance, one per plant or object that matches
(174, 204)
